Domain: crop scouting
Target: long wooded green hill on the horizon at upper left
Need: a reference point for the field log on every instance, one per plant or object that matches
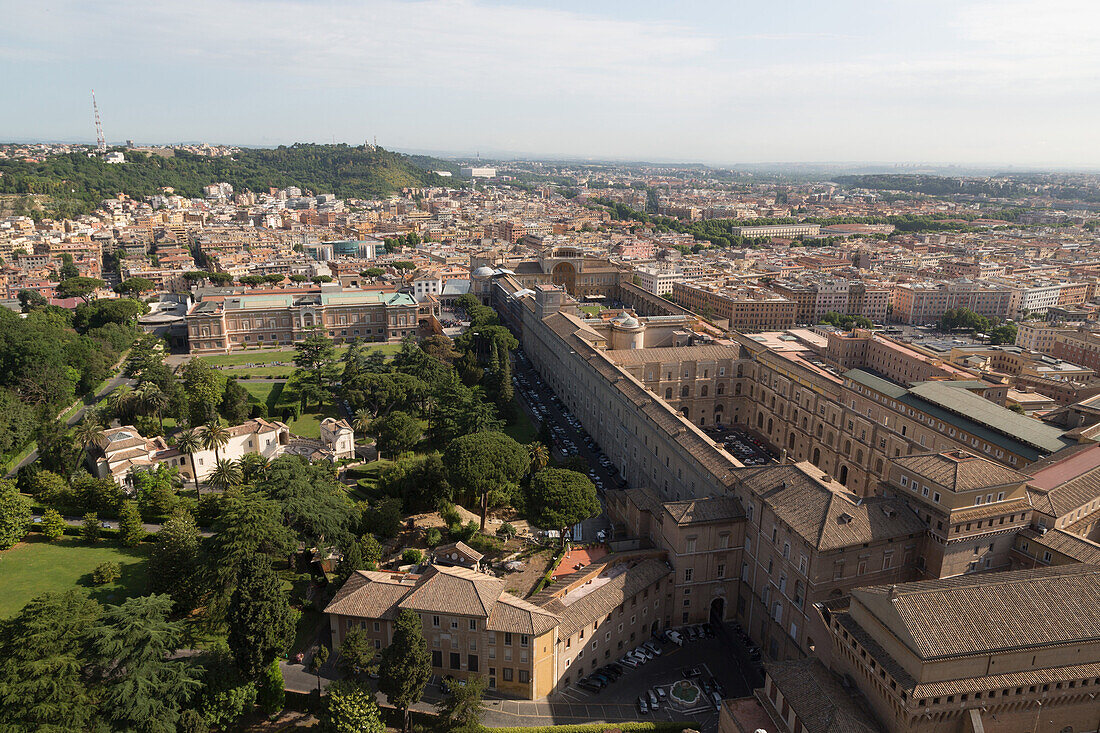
(78, 183)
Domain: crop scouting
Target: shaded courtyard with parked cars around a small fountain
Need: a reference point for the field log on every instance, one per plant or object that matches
(694, 669)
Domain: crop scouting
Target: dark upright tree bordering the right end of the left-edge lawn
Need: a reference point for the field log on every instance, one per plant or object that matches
(174, 562)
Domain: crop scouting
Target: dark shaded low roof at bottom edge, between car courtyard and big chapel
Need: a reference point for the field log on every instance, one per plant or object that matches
(819, 701)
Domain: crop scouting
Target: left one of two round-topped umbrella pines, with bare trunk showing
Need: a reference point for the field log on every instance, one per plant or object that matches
(486, 464)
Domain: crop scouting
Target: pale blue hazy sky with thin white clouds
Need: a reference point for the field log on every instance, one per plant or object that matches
(987, 82)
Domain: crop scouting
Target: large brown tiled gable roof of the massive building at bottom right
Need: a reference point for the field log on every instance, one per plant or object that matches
(991, 612)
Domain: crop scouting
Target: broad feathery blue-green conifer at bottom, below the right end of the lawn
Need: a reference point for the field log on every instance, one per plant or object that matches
(141, 687)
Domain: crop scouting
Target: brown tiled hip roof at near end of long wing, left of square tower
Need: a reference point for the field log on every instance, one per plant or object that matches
(826, 513)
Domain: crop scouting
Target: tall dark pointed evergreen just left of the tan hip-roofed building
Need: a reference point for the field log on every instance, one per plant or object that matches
(261, 623)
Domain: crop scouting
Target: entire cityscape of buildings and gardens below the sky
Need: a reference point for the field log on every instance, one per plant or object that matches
(334, 436)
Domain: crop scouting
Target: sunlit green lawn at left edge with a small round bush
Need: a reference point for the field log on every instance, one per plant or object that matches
(38, 566)
